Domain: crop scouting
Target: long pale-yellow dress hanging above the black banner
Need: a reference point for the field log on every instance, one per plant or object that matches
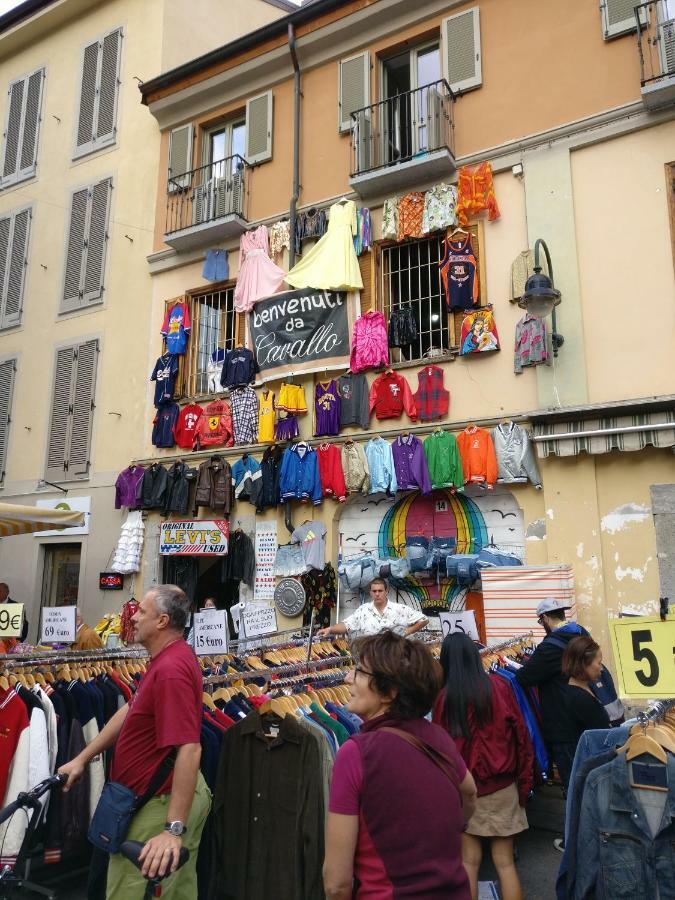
(332, 263)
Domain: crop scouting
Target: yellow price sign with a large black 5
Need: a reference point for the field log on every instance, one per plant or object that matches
(644, 653)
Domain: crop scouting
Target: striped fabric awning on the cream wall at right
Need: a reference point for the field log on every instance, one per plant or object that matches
(600, 435)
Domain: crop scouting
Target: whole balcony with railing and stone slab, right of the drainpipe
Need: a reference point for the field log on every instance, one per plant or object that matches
(402, 140)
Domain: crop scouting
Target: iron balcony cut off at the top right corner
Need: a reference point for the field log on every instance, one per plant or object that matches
(656, 45)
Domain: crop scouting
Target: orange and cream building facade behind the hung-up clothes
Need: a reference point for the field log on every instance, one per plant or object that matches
(573, 106)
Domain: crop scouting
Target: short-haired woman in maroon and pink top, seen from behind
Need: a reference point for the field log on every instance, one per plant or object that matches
(400, 793)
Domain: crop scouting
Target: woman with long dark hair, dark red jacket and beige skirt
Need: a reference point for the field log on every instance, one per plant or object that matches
(481, 714)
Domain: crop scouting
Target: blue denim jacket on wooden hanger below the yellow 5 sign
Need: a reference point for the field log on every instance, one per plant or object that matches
(616, 854)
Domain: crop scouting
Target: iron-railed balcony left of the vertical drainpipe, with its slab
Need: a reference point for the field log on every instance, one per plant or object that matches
(207, 204)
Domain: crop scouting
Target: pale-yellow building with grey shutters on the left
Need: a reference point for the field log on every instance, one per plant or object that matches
(77, 216)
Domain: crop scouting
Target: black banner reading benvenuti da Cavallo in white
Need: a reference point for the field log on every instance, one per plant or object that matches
(300, 331)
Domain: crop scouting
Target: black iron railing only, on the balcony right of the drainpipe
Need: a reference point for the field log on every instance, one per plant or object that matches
(403, 128)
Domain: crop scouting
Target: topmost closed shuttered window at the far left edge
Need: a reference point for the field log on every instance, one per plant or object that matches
(22, 128)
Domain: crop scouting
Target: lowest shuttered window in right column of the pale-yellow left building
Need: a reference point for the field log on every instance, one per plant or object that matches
(71, 418)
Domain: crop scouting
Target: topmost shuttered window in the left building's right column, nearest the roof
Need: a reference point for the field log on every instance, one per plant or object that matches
(99, 90)
